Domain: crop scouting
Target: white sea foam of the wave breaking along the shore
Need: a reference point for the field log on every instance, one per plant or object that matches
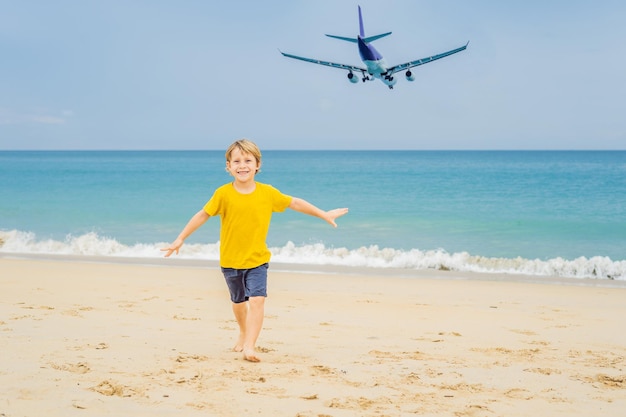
(17, 242)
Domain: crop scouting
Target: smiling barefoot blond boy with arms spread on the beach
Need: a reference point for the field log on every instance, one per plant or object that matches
(245, 207)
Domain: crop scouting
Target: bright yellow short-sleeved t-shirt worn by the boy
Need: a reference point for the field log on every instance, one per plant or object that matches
(245, 221)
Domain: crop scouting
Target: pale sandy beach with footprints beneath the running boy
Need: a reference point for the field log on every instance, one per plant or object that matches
(122, 339)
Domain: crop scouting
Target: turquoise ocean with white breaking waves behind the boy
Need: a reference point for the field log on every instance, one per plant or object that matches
(542, 213)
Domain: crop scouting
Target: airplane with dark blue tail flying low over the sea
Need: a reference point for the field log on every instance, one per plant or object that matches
(375, 65)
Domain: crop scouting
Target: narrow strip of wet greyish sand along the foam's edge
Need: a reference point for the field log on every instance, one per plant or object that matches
(330, 269)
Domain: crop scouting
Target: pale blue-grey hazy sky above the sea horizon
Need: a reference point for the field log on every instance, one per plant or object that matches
(195, 74)
